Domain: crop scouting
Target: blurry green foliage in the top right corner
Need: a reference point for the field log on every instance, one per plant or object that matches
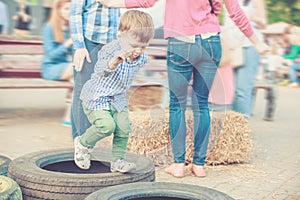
(286, 11)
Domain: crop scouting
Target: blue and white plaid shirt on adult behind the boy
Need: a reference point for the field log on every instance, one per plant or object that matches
(93, 21)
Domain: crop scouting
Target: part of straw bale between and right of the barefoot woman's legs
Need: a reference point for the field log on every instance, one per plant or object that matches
(229, 141)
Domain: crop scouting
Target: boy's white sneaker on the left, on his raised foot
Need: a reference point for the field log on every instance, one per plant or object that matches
(82, 154)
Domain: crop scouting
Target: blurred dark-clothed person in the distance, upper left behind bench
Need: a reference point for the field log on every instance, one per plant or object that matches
(22, 18)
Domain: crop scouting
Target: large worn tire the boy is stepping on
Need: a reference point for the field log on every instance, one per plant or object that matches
(32, 173)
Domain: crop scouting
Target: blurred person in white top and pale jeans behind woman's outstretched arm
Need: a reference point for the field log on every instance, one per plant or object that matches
(245, 73)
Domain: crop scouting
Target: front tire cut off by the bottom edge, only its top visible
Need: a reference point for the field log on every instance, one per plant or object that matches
(157, 190)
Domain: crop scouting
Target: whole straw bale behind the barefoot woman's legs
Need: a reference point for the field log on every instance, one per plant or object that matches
(229, 141)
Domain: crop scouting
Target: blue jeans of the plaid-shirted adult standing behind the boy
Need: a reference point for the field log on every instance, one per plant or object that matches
(79, 120)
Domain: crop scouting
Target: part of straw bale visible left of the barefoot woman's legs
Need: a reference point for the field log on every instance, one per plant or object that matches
(150, 135)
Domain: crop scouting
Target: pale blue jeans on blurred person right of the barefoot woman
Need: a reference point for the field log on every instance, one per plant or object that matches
(244, 77)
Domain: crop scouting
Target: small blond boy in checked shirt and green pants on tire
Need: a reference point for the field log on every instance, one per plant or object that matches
(104, 95)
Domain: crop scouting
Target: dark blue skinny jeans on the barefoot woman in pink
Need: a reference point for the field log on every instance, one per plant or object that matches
(201, 60)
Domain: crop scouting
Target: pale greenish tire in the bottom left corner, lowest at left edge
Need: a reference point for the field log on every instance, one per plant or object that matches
(9, 189)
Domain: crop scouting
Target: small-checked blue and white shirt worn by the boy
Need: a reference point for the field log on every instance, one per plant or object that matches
(107, 86)
